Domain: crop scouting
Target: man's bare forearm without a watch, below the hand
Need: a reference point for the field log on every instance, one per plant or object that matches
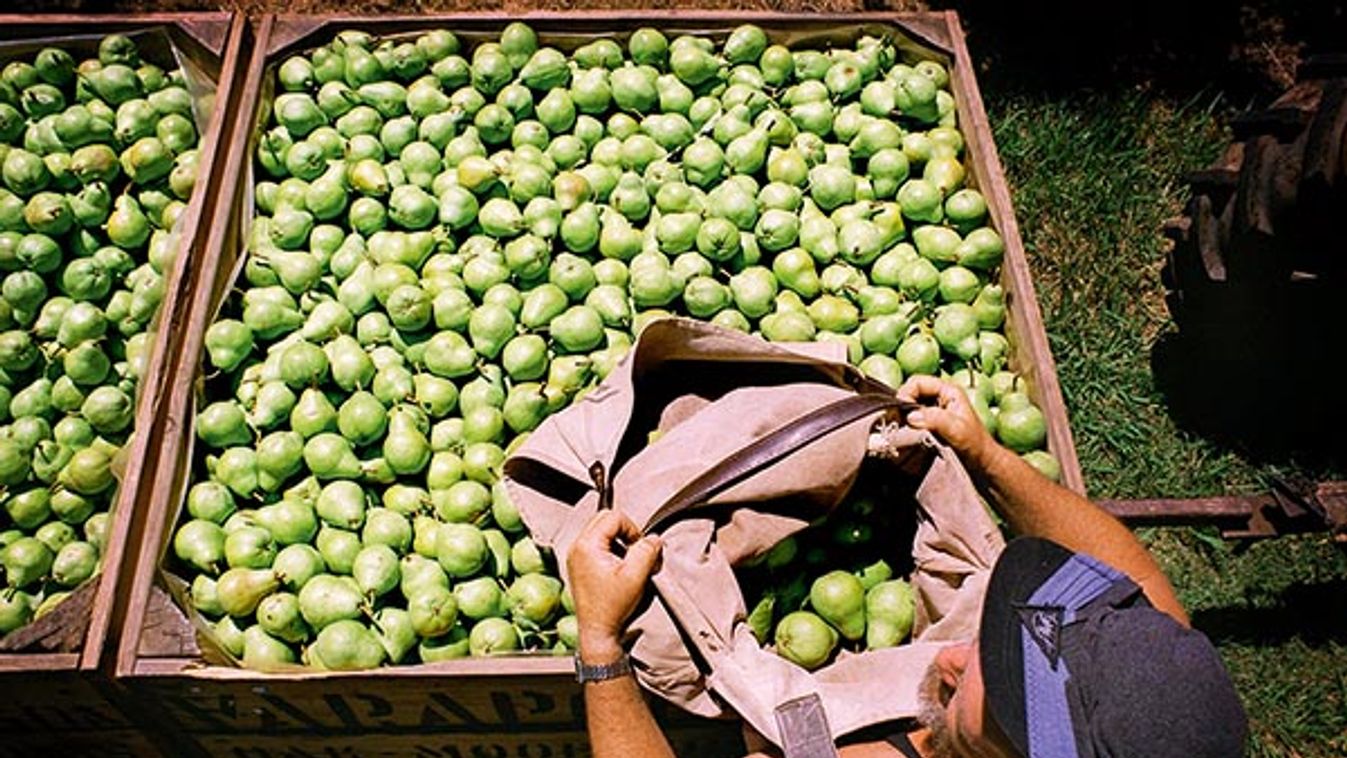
(1037, 507)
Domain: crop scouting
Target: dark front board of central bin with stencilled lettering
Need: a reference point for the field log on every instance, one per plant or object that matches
(386, 716)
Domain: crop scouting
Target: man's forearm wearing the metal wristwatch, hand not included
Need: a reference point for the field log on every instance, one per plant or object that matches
(620, 721)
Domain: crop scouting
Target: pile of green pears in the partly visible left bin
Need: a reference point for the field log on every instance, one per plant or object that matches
(98, 161)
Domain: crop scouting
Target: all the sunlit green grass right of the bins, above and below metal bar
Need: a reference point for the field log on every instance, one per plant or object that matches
(1094, 177)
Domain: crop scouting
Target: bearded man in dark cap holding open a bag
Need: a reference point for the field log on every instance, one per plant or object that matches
(1084, 648)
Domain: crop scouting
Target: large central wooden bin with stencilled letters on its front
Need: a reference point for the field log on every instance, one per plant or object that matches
(510, 706)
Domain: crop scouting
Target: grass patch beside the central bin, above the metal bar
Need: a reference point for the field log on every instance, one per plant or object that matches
(1094, 178)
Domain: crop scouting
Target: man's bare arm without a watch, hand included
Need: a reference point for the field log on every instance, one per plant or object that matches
(1031, 503)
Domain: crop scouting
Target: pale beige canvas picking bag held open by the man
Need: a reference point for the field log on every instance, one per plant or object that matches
(755, 442)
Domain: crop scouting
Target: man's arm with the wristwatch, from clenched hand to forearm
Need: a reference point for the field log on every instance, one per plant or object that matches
(607, 590)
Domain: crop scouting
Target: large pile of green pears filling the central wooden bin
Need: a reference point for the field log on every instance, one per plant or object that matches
(452, 242)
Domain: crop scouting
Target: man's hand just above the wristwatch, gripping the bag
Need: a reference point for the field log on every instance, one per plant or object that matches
(607, 588)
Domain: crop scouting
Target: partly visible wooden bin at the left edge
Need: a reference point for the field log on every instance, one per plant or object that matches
(56, 697)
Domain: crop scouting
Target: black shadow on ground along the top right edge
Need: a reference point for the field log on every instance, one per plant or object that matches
(1248, 50)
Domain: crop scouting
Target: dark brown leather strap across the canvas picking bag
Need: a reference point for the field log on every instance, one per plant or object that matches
(771, 449)
